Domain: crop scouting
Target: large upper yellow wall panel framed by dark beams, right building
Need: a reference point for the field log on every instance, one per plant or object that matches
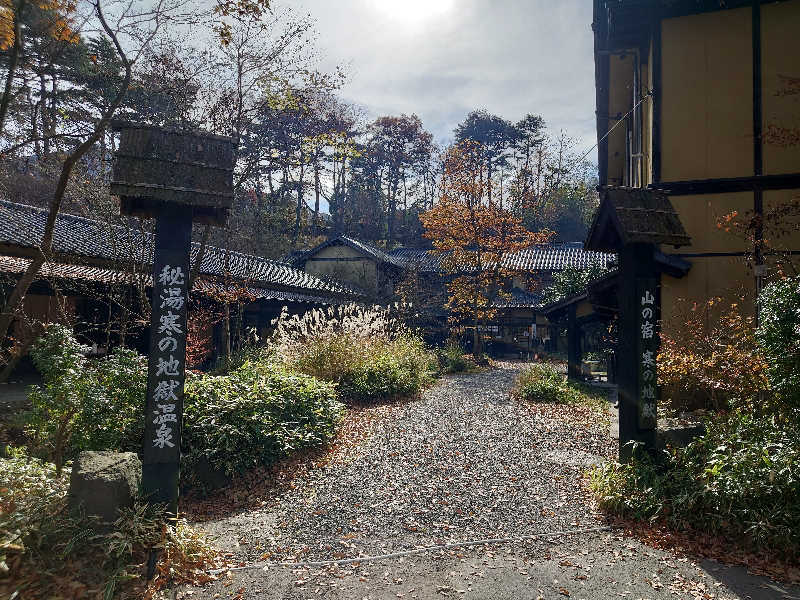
(707, 96)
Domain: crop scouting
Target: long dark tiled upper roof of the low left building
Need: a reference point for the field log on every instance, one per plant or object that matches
(81, 238)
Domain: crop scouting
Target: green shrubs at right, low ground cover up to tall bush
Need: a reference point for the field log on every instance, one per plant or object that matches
(740, 480)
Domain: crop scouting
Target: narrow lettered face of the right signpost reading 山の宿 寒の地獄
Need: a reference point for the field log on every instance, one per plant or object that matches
(647, 349)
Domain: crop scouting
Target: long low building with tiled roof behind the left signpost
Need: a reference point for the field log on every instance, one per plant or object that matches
(100, 277)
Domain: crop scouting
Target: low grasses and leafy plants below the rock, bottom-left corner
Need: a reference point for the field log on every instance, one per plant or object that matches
(48, 552)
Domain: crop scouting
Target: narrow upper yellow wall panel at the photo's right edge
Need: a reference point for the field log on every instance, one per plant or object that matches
(780, 72)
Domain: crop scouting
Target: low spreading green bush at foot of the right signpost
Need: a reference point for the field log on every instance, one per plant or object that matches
(741, 480)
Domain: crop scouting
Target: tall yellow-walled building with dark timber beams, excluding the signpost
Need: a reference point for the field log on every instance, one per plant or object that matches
(701, 99)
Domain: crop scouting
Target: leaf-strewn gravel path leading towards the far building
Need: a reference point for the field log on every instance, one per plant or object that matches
(465, 462)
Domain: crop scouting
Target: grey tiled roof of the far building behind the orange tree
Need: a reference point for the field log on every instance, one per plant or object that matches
(535, 258)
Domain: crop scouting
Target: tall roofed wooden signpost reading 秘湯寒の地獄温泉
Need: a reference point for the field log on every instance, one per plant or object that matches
(176, 177)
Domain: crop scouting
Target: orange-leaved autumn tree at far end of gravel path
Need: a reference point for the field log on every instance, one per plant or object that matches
(474, 235)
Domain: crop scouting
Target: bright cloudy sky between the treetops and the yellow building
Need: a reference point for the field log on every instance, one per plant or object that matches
(441, 59)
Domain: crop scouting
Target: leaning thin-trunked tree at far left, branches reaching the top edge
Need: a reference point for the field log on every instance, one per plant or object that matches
(125, 31)
